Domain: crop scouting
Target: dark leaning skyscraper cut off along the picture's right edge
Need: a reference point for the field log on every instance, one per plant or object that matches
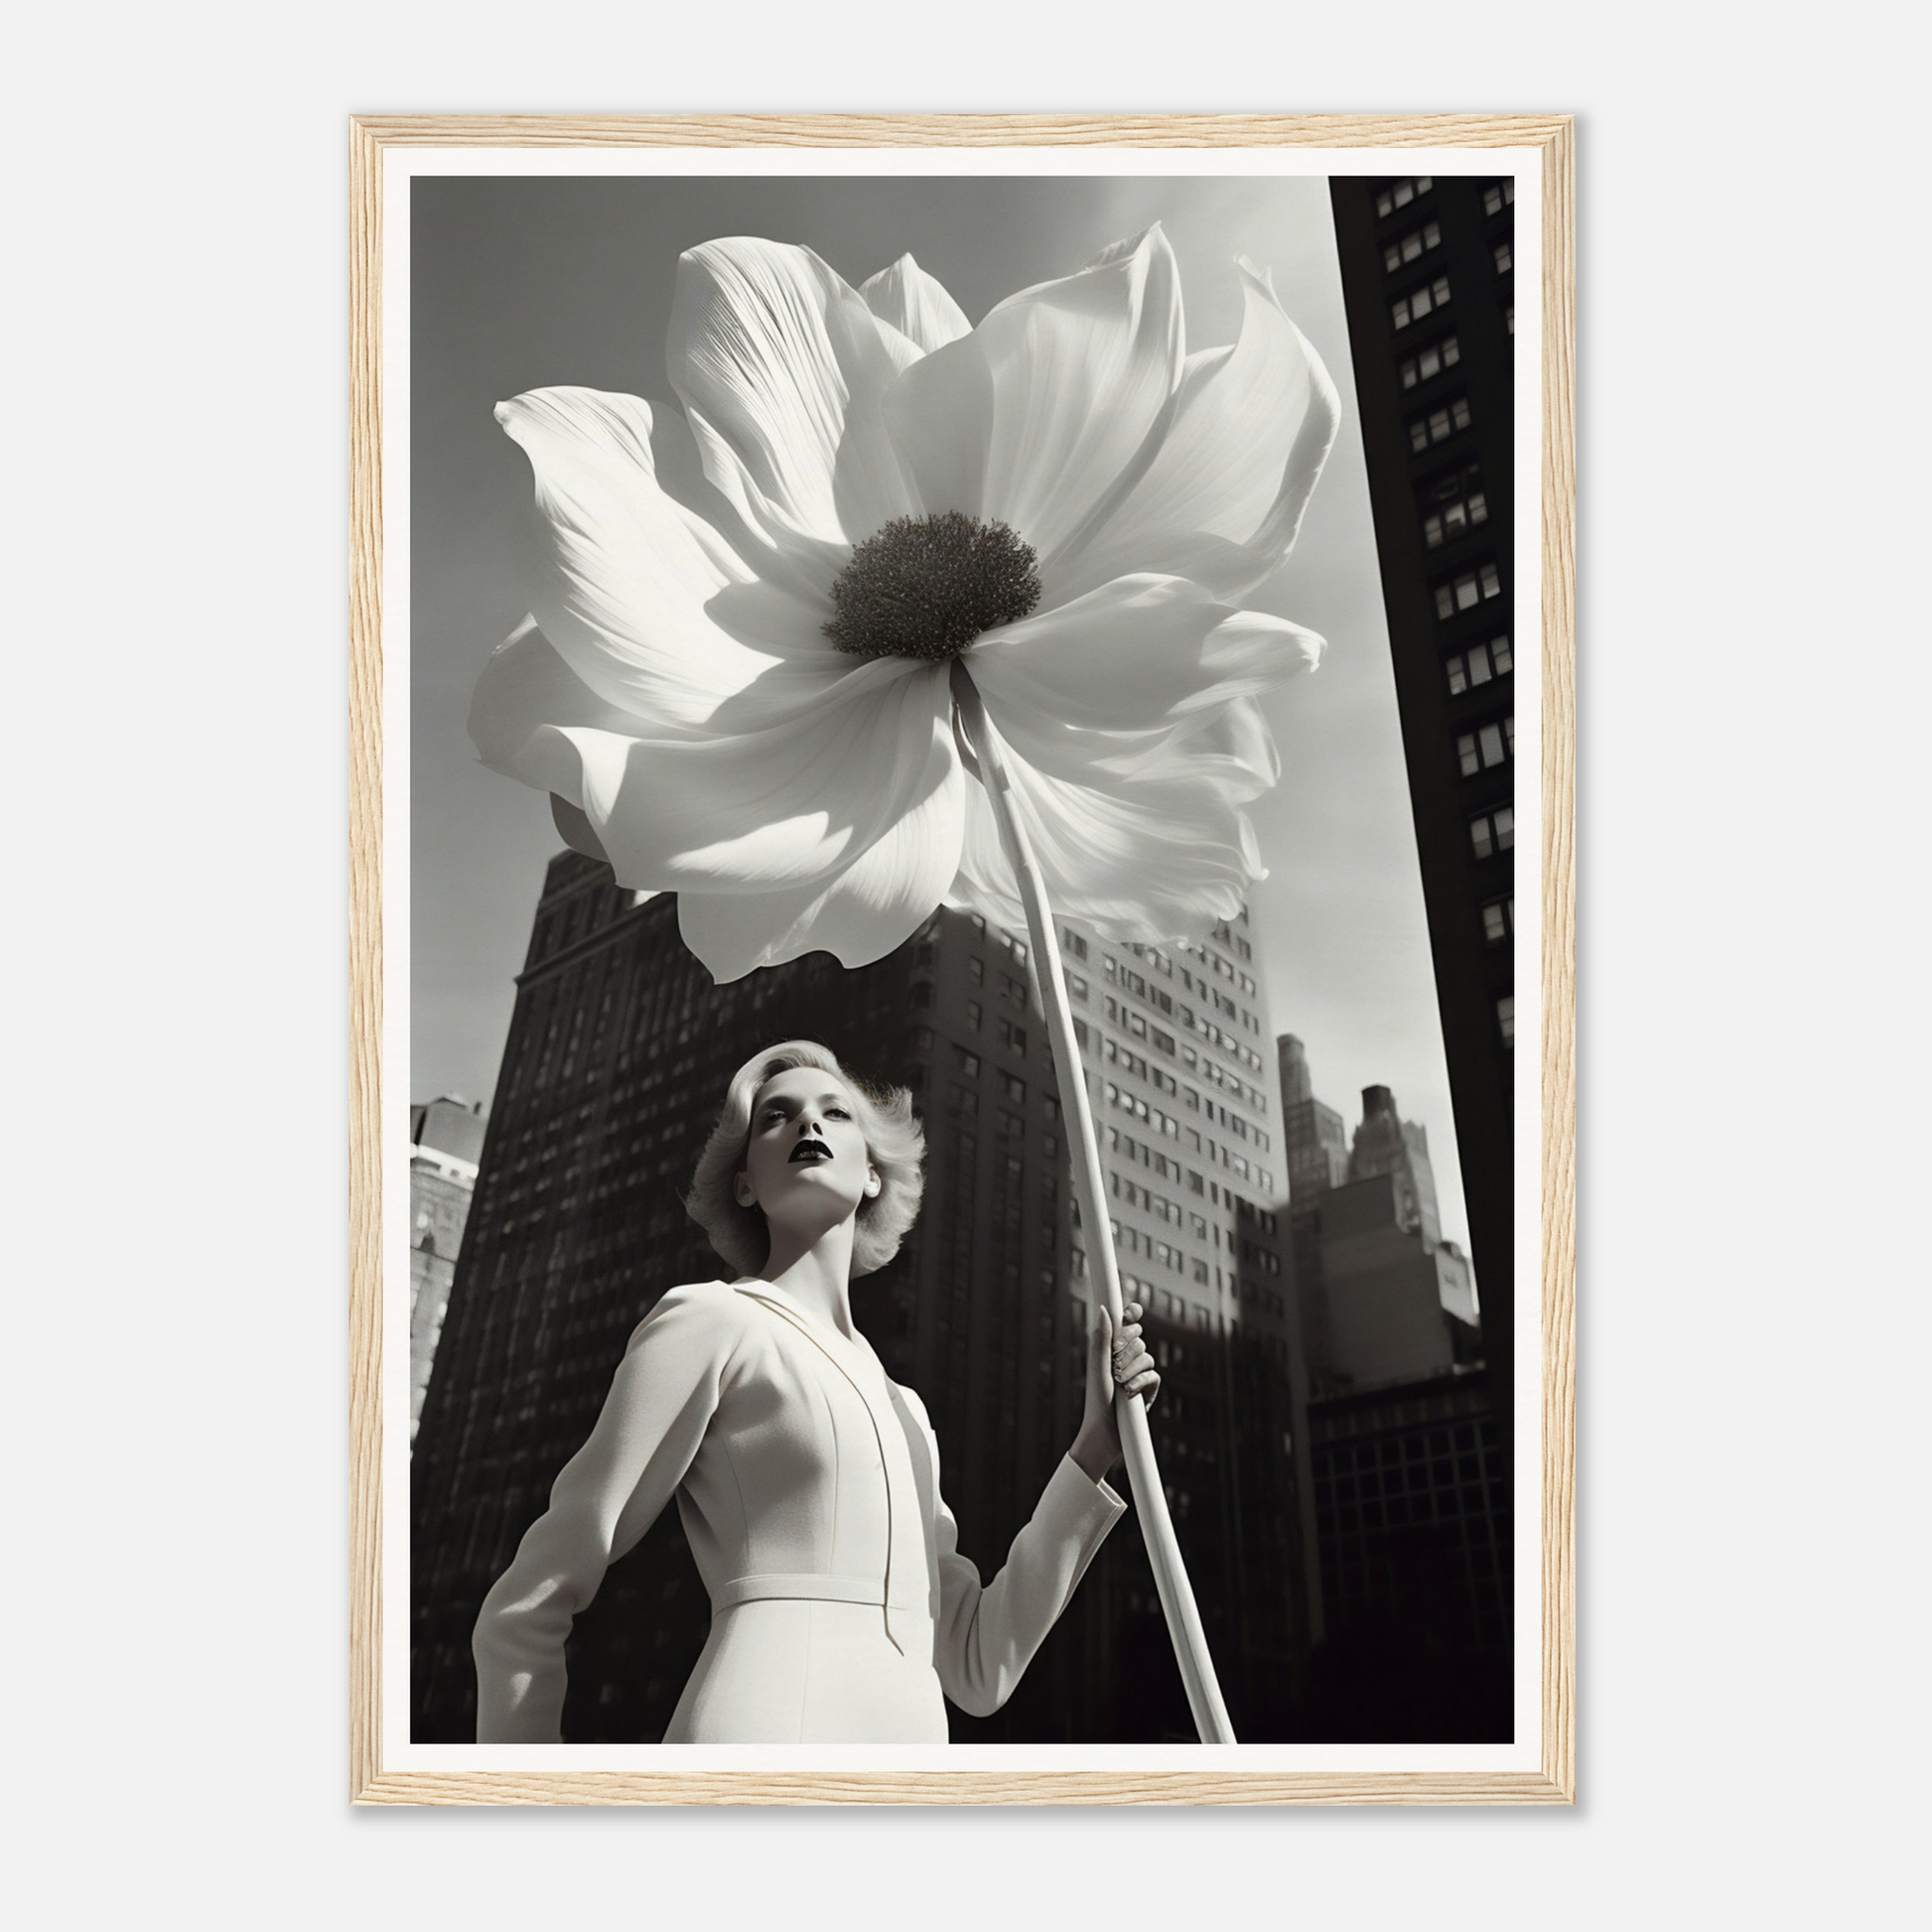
(1429, 279)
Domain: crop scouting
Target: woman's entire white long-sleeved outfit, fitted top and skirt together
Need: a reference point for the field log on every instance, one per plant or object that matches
(809, 1487)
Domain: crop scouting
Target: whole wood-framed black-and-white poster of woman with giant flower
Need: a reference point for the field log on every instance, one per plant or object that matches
(1216, 457)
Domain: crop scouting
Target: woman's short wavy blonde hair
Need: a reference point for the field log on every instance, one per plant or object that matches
(895, 1143)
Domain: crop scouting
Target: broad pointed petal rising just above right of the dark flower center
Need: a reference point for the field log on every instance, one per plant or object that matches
(1037, 414)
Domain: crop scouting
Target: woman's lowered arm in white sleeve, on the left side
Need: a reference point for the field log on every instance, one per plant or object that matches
(608, 1496)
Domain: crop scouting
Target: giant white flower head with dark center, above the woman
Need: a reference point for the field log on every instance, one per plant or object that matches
(737, 671)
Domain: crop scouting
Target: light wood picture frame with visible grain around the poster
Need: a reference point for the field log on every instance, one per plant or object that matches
(1556, 1776)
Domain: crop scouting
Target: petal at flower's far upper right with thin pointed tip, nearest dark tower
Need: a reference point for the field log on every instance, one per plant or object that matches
(1230, 480)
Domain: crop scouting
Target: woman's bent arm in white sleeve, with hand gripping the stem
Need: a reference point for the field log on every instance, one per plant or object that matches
(988, 1634)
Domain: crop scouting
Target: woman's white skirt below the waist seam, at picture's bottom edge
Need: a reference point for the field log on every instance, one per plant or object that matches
(797, 1672)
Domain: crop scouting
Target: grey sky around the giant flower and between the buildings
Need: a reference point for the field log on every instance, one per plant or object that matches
(567, 281)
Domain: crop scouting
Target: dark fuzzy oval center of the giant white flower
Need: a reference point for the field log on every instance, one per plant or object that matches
(926, 586)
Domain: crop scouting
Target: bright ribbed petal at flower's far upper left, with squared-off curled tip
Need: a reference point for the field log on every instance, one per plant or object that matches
(627, 571)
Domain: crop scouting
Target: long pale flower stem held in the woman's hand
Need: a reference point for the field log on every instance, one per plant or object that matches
(1137, 1444)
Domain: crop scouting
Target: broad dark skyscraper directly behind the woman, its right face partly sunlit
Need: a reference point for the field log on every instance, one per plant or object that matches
(613, 1071)
